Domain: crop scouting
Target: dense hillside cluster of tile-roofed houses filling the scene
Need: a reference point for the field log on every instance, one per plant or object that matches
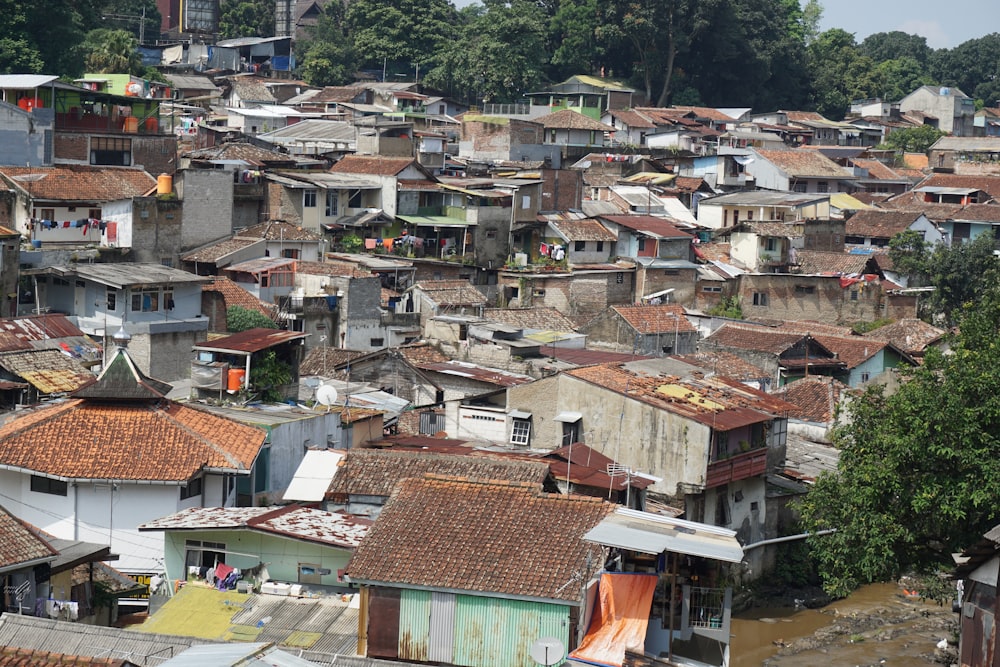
(535, 360)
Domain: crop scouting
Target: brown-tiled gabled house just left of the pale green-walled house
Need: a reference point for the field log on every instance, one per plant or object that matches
(785, 356)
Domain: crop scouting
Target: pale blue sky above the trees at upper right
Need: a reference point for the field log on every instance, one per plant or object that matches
(945, 23)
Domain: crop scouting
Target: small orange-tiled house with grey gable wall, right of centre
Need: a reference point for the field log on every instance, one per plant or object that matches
(650, 330)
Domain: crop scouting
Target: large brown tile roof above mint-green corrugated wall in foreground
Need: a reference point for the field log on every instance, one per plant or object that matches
(493, 538)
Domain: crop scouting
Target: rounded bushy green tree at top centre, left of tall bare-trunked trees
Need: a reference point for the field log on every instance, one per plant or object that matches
(499, 55)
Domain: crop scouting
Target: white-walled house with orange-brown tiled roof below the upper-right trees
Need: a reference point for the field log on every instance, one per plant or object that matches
(799, 170)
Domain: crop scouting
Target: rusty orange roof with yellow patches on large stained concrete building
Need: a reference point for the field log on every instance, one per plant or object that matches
(720, 402)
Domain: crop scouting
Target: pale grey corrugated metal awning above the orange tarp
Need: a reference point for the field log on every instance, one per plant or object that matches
(654, 534)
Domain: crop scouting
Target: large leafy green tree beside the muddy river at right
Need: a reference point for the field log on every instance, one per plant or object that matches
(917, 478)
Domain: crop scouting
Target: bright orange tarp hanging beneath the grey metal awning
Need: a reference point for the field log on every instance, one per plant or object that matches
(620, 620)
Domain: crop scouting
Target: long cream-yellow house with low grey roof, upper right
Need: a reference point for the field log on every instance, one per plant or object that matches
(761, 206)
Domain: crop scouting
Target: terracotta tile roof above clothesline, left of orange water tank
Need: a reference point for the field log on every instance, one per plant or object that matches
(82, 183)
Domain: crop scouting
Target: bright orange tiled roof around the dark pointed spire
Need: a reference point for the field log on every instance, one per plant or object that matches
(164, 441)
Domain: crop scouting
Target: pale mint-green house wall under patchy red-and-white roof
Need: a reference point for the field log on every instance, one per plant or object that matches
(281, 554)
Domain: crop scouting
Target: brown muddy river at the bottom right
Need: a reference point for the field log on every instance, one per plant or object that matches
(877, 625)
